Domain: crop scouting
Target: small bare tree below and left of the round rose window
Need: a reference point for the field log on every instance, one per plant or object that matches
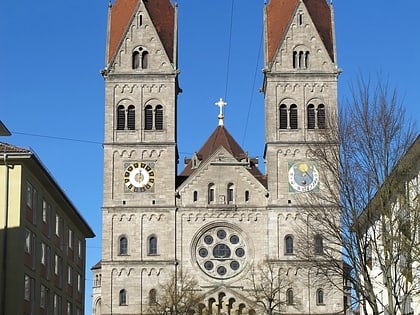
(179, 296)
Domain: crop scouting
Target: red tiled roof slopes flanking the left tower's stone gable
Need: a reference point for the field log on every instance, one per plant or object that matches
(162, 13)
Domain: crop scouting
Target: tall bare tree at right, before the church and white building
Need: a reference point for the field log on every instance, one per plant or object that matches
(356, 214)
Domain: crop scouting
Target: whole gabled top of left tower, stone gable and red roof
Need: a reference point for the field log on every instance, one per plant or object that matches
(138, 26)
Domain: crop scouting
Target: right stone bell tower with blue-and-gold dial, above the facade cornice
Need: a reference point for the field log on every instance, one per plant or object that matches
(300, 91)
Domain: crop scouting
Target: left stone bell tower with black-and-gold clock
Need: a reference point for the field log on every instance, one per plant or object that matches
(140, 146)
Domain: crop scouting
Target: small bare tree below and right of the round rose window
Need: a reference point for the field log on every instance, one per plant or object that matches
(268, 287)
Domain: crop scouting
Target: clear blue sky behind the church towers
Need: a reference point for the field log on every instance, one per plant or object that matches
(51, 92)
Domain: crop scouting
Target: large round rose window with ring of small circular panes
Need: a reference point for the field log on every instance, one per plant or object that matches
(220, 252)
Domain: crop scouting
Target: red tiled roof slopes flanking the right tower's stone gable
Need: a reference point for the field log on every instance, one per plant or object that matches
(279, 14)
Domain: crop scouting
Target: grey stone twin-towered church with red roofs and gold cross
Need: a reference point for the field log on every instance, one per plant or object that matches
(220, 223)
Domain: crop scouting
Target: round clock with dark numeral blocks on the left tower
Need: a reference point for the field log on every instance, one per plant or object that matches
(139, 177)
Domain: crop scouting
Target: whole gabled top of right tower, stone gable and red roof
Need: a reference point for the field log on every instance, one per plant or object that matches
(304, 28)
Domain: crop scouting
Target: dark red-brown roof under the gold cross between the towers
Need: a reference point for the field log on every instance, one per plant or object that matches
(221, 137)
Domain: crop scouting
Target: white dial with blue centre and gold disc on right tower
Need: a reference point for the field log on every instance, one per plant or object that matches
(303, 176)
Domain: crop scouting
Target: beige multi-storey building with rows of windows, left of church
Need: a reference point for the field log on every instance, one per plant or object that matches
(42, 240)
